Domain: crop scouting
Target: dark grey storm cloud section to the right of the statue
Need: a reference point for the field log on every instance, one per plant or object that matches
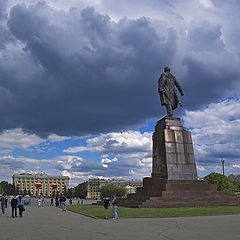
(212, 70)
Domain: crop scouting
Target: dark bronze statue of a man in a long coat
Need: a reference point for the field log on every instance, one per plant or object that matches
(168, 93)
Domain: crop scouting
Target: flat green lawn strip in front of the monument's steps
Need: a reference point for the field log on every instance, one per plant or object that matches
(98, 211)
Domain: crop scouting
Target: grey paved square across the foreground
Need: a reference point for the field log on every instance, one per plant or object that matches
(40, 223)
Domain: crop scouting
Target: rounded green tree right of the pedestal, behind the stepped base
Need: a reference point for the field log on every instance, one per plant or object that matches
(223, 182)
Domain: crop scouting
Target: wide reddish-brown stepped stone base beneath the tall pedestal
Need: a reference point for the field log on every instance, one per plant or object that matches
(158, 192)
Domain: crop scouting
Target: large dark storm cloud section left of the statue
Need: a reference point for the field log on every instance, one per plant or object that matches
(90, 74)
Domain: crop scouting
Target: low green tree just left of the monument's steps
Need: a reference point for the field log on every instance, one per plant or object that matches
(110, 190)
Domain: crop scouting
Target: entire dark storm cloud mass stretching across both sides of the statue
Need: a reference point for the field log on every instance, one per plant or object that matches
(79, 72)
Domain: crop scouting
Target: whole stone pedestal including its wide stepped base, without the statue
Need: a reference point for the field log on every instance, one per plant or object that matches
(174, 176)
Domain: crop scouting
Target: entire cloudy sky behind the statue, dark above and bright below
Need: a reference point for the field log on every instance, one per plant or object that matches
(78, 84)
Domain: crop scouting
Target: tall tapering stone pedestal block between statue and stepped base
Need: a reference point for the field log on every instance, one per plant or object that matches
(173, 155)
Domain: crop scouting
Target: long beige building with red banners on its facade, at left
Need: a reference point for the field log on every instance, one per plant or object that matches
(26, 184)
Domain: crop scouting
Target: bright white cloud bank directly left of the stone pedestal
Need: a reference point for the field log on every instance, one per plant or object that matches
(130, 153)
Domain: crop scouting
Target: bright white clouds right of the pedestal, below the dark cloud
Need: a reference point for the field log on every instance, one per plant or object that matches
(215, 132)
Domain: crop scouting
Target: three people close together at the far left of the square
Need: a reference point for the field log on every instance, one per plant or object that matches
(15, 204)
